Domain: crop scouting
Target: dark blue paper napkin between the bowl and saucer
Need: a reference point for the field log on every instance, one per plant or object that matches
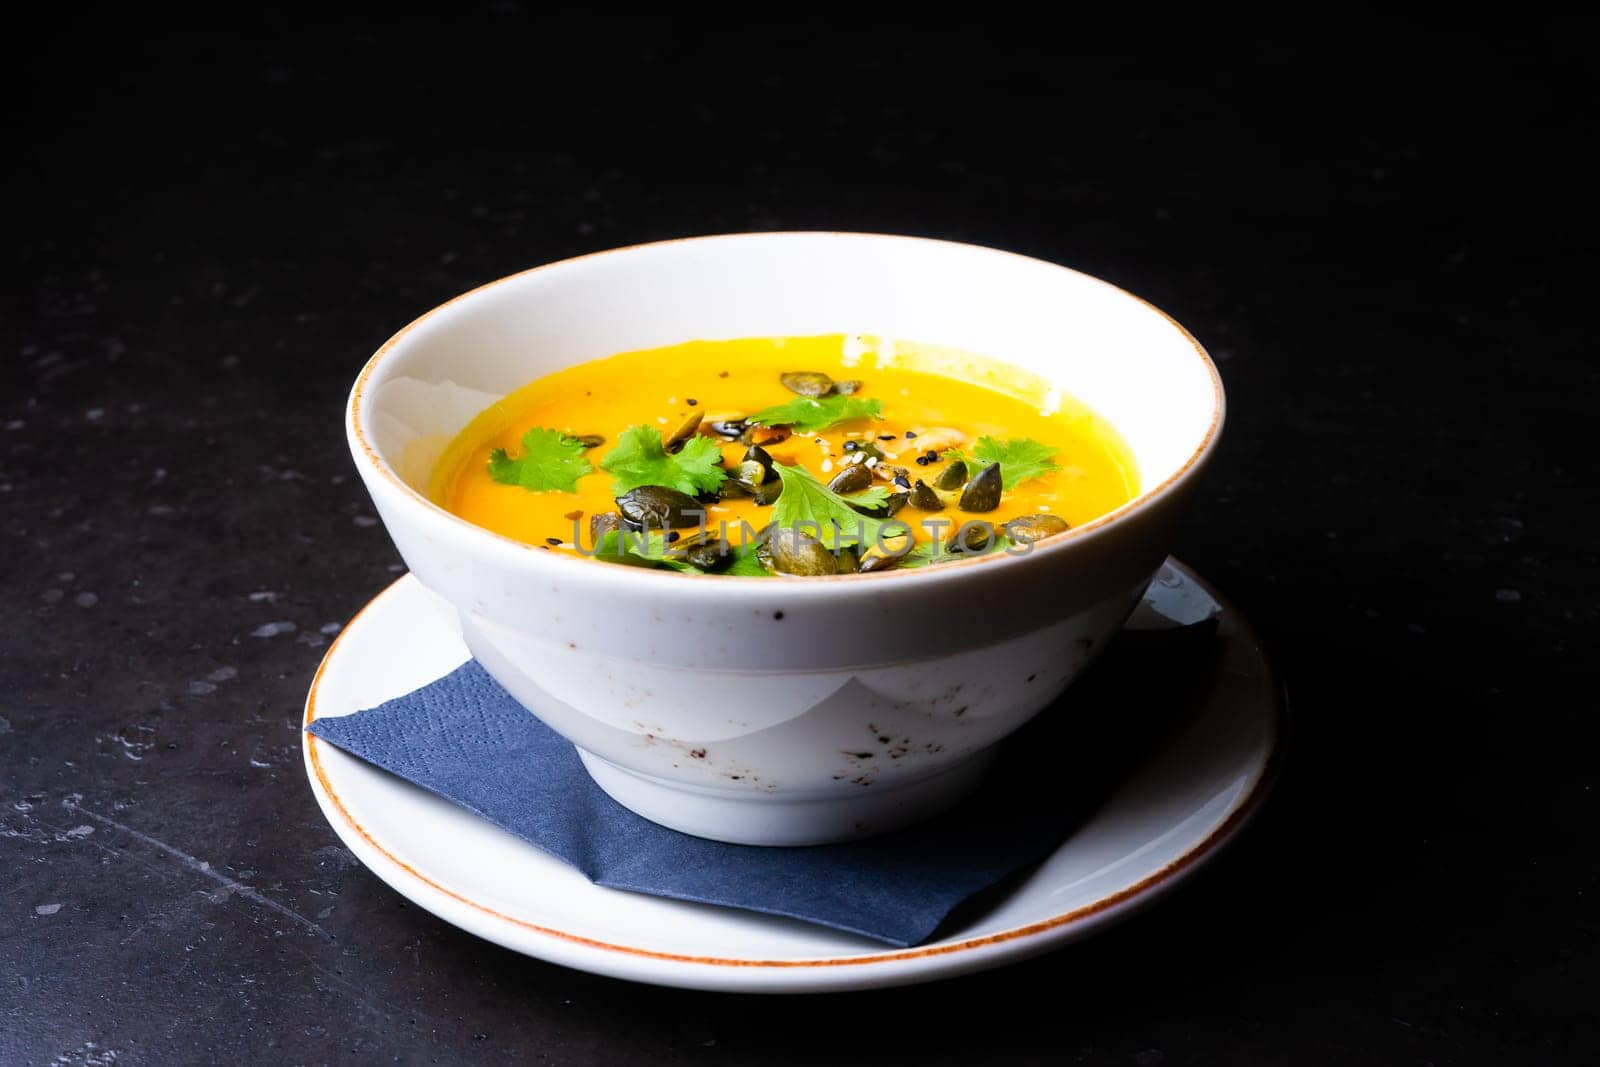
(466, 740)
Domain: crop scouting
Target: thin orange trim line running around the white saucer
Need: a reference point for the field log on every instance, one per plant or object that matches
(1234, 820)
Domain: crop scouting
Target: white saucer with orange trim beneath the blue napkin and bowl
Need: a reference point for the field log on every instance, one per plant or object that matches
(1188, 797)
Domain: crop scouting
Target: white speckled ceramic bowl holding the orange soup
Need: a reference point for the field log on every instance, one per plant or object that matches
(753, 711)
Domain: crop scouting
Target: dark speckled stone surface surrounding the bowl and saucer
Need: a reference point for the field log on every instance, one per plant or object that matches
(1388, 246)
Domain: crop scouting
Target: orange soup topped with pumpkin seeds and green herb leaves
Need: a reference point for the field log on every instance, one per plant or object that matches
(705, 446)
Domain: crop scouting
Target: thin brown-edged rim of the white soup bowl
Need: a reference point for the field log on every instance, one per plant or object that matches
(362, 449)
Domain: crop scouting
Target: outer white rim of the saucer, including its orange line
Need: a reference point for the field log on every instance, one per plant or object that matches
(876, 967)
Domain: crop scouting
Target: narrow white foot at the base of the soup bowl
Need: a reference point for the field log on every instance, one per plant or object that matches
(777, 820)
